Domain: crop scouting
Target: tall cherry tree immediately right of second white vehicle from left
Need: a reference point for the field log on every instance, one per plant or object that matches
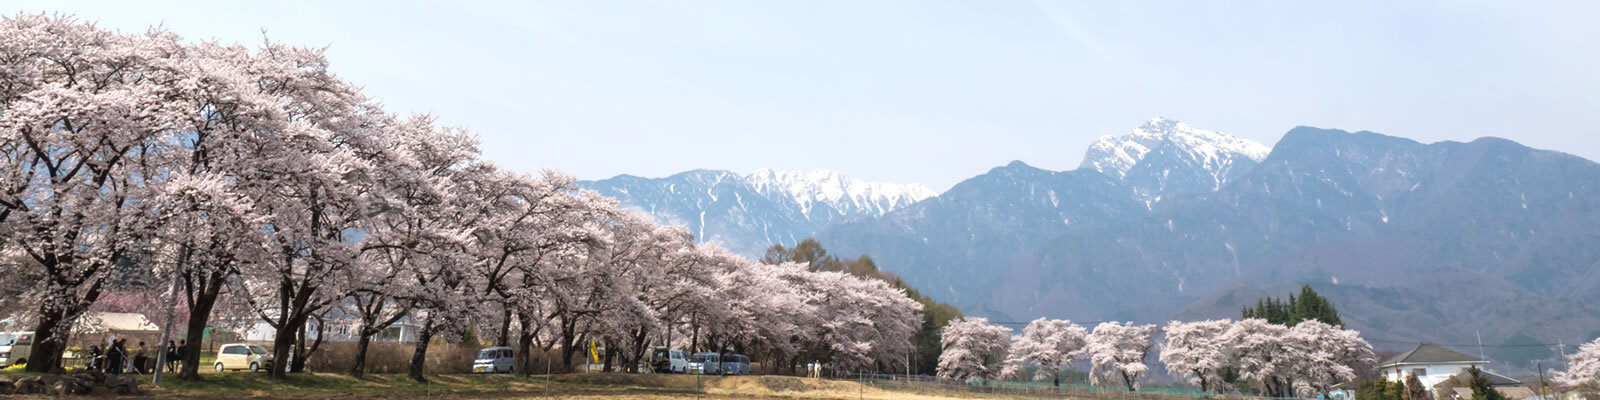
(314, 182)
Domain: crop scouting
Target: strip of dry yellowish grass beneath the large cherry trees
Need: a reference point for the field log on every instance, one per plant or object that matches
(510, 386)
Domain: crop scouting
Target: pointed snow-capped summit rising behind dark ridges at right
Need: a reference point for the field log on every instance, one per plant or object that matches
(1170, 158)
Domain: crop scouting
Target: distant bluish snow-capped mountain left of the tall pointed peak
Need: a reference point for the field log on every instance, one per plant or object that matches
(753, 212)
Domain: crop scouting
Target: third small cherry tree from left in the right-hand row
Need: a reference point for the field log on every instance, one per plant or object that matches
(1119, 350)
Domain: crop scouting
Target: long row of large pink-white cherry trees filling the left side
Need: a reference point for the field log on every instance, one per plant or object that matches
(273, 191)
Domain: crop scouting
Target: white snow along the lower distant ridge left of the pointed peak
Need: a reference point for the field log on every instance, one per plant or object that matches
(838, 191)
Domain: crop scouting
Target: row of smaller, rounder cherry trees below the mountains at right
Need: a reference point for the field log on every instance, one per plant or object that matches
(1278, 361)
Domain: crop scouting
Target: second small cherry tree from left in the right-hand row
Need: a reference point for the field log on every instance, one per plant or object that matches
(1052, 345)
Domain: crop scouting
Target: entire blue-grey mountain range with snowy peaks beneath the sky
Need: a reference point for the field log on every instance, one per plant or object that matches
(1414, 242)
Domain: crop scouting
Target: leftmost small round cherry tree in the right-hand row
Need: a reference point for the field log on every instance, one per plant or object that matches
(974, 350)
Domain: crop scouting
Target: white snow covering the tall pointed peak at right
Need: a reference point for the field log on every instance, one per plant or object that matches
(1118, 154)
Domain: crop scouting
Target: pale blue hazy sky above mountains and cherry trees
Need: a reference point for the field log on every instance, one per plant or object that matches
(926, 92)
